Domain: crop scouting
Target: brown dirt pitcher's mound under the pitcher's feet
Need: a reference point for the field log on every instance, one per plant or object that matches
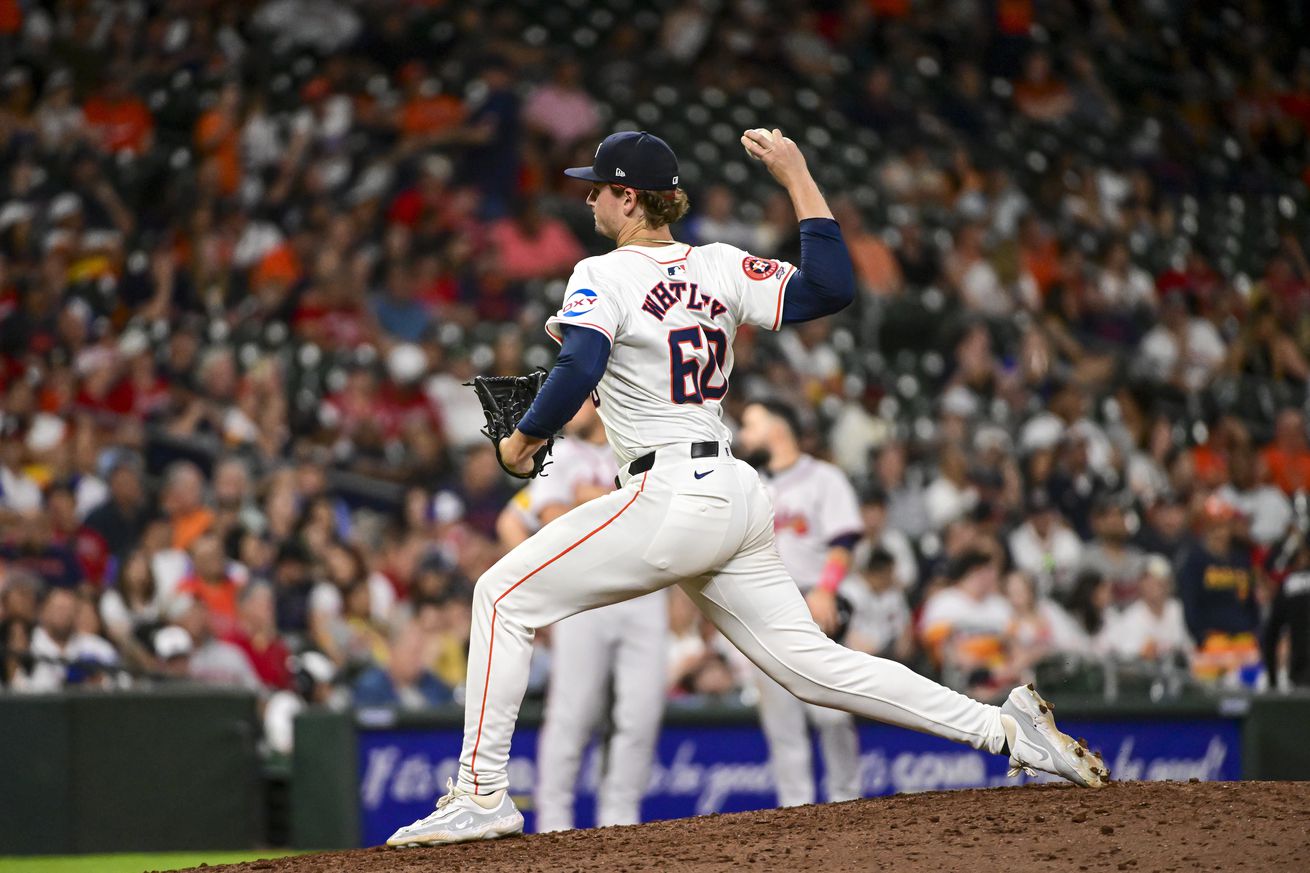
(1129, 826)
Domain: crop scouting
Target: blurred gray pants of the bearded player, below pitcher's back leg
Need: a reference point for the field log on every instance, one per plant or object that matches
(787, 727)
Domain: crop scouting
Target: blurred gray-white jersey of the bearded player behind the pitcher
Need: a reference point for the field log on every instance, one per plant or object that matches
(813, 505)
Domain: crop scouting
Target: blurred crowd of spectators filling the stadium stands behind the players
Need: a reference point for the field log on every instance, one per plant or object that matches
(250, 252)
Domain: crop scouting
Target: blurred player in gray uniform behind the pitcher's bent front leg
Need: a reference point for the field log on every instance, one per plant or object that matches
(605, 659)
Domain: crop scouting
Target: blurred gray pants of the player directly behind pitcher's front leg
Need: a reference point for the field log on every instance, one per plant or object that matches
(614, 653)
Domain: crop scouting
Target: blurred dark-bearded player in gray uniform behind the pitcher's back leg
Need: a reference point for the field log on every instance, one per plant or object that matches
(815, 525)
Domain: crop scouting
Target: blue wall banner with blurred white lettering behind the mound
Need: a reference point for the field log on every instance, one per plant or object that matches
(722, 767)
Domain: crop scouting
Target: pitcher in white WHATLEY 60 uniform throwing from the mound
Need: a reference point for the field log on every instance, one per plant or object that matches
(648, 331)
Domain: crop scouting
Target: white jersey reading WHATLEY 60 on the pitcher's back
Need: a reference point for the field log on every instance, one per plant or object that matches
(671, 315)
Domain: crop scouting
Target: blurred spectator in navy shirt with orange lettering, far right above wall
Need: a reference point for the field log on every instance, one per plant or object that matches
(1215, 581)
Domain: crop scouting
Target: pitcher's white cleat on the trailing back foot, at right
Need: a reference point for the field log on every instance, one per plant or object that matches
(1037, 744)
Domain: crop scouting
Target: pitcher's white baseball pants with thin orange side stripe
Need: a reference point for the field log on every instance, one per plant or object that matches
(708, 526)
